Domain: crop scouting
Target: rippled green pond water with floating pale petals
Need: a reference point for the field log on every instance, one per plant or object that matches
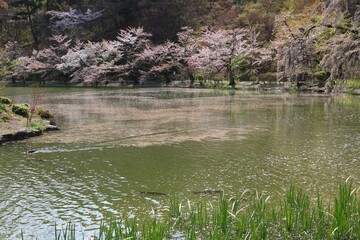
(115, 144)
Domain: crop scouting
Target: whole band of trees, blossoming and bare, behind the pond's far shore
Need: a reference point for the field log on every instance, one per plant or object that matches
(308, 45)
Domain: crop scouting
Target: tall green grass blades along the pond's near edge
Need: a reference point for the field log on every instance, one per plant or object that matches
(295, 217)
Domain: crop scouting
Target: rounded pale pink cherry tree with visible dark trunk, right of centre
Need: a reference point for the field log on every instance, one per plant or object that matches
(217, 51)
